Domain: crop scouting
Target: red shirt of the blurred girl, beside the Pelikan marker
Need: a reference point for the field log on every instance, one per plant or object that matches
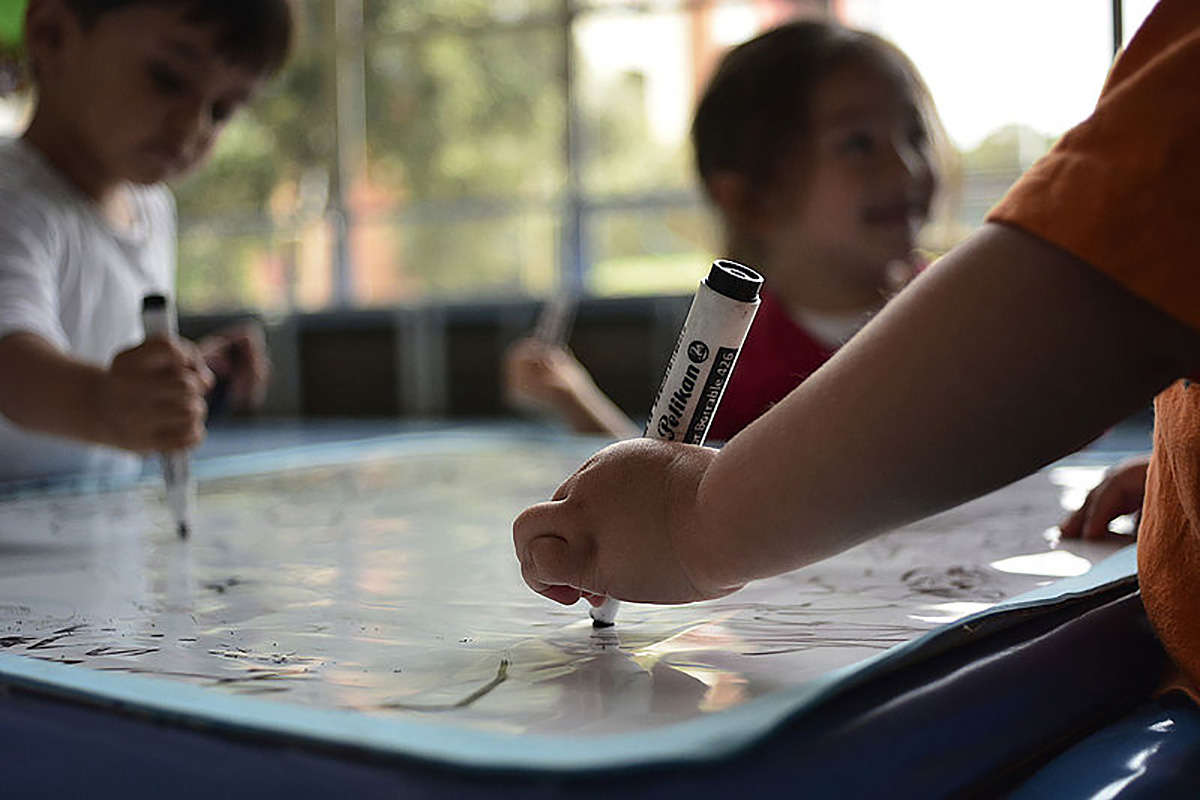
(777, 357)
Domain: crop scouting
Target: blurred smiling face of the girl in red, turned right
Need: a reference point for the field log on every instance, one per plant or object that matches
(860, 189)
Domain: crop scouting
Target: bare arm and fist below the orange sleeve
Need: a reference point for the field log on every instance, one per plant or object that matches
(1000, 360)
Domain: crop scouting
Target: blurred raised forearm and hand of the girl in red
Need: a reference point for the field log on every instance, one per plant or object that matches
(548, 377)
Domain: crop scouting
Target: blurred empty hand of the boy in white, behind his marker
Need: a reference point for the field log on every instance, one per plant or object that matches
(238, 358)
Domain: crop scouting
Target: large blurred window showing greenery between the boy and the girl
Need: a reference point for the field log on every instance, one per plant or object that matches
(422, 152)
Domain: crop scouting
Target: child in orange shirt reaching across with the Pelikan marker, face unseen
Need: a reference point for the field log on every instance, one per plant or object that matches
(1076, 303)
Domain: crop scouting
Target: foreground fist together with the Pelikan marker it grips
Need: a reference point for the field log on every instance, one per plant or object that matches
(566, 555)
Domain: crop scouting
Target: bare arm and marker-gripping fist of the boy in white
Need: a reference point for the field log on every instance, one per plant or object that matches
(152, 399)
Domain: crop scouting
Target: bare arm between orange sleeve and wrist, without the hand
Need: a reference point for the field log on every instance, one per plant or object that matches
(1005, 357)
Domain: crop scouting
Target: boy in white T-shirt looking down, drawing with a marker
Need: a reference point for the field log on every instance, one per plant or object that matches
(130, 94)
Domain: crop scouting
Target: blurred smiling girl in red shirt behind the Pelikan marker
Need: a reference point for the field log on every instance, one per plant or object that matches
(819, 147)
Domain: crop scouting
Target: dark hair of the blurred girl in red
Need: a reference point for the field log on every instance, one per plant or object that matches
(757, 105)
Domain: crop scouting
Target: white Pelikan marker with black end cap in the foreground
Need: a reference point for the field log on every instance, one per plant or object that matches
(700, 368)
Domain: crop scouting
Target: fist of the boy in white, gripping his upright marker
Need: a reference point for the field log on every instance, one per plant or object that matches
(153, 396)
